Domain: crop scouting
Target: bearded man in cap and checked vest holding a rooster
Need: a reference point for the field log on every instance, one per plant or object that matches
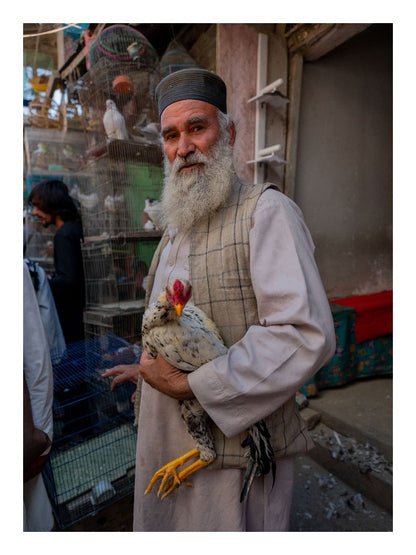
(249, 257)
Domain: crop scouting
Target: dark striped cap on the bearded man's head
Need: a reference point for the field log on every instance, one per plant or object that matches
(192, 84)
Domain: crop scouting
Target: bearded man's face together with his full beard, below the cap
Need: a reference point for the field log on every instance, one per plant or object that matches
(198, 162)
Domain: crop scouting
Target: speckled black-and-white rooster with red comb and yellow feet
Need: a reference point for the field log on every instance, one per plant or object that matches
(187, 338)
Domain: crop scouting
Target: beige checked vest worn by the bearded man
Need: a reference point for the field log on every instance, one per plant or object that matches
(219, 271)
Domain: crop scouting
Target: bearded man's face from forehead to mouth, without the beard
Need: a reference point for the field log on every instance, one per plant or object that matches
(189, 126)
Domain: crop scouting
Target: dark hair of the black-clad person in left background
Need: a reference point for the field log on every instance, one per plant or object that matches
(52, 197)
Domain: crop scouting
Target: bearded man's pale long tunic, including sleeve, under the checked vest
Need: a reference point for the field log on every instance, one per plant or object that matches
(288, 288)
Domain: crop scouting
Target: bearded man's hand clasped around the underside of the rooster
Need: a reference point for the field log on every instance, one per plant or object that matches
(164, 377)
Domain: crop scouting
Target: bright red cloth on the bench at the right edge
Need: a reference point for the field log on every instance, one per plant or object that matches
(374, 314)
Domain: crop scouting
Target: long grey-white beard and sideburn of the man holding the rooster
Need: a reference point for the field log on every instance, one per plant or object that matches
(189, 196)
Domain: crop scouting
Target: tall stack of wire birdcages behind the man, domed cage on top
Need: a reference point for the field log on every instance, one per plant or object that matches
(123, 173)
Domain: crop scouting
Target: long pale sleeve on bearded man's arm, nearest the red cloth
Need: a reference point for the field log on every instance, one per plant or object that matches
(296, 336)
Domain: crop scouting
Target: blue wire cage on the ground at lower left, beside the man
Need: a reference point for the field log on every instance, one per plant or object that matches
(92, 460)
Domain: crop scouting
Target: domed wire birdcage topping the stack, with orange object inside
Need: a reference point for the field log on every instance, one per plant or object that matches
(123, 67)
